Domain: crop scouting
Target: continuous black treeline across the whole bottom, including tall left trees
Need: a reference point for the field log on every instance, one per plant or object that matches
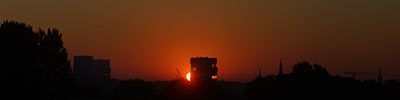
(35, 65)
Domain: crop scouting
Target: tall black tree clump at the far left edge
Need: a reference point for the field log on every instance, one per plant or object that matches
(34, 64)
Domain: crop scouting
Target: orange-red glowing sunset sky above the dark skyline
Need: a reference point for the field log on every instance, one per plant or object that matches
(149, 39)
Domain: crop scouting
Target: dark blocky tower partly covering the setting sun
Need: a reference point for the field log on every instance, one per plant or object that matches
(203, 69)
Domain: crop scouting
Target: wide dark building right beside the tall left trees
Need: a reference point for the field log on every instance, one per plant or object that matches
(93, 72)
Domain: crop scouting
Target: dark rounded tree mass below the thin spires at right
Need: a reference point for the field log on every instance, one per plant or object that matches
(308, 80)
